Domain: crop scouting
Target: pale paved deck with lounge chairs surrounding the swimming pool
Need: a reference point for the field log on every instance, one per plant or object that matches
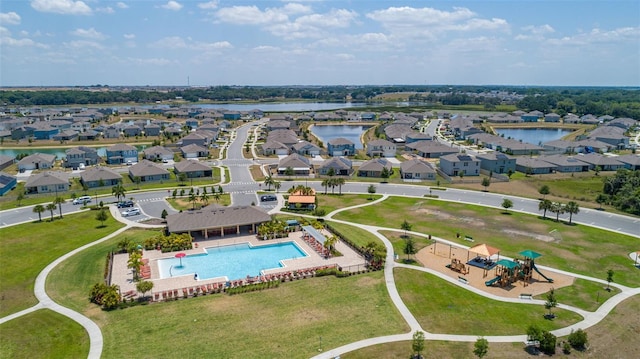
(123, 276)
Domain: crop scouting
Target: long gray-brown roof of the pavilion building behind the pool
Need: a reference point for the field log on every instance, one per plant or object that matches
(216, 218)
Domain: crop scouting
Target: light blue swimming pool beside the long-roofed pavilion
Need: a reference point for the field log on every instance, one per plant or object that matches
(231, 261)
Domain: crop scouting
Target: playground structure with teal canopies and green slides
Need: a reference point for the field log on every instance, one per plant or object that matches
(508, 271)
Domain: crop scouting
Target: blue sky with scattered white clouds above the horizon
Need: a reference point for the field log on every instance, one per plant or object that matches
(356, 42)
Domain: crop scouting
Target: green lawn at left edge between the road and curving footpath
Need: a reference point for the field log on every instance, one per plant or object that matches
(27, 248)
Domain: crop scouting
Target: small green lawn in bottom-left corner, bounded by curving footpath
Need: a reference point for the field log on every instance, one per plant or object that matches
(43, 334)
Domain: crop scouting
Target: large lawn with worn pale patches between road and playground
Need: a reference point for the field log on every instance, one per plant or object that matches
(581, 249)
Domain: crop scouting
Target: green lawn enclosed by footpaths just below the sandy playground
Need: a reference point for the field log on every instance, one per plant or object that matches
(441, 307)
